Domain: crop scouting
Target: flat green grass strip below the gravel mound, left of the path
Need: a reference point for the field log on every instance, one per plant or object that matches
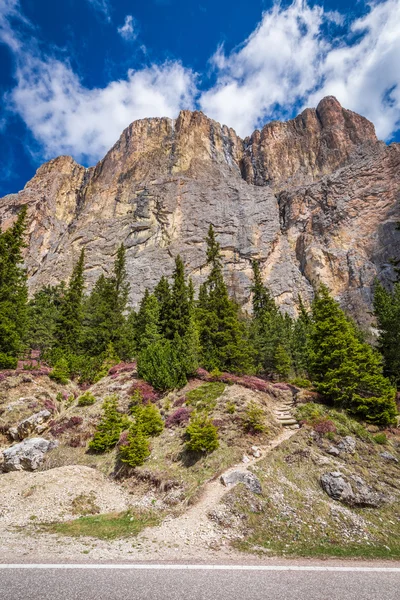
(110, 526)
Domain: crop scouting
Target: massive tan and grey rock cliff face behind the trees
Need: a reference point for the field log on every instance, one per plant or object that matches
(314, 199)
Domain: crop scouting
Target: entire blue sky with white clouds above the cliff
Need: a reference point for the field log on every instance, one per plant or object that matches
(75, 73)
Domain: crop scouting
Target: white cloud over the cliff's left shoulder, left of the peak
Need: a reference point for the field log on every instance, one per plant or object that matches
(67, 118)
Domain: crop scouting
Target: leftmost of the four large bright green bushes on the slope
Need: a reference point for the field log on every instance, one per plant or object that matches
(110, 427)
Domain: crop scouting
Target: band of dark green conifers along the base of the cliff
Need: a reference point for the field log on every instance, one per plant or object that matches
(172, 333)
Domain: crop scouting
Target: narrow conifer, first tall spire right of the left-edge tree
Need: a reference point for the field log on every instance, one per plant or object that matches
(69, 325)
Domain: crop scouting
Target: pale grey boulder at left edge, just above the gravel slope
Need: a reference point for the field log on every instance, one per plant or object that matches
(27, 455)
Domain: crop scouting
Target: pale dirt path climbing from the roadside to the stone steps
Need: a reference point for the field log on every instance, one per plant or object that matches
(194, 528)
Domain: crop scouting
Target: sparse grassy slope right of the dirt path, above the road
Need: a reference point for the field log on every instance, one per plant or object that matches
(294, 516)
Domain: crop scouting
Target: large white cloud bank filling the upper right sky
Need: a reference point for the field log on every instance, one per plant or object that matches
(289, 60)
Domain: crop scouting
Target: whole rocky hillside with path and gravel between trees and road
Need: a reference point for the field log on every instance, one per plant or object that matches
(176, 507)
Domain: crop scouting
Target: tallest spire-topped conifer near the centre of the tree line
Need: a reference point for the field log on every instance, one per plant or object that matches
(222, 335)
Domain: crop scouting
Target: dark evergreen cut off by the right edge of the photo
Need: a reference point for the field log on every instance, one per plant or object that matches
(387, 311)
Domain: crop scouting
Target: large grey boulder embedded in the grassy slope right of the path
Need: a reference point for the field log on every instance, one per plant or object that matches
(356, 493)
